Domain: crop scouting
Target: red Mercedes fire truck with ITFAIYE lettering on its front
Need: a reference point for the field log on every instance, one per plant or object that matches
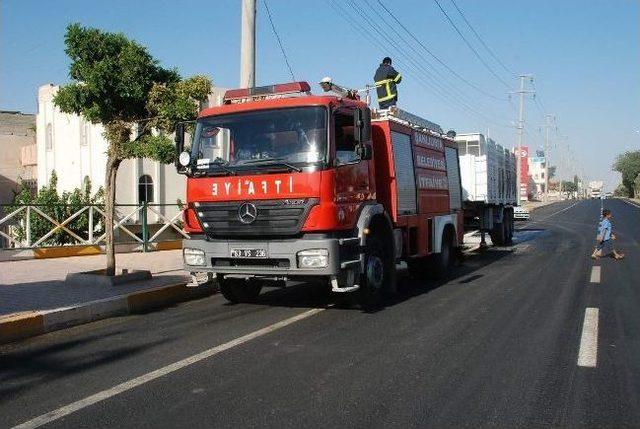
(286, 185)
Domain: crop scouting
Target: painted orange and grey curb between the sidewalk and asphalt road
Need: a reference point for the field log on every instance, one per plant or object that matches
(29, 324)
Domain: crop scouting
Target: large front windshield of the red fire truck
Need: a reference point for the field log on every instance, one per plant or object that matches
(293, 136)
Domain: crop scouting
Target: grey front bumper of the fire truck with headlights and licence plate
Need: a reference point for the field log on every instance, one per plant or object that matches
(281, 260)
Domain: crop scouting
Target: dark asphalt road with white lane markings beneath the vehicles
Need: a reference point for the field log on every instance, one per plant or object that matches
(498, 344)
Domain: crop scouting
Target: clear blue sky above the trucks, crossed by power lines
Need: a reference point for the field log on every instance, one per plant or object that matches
(584, 56)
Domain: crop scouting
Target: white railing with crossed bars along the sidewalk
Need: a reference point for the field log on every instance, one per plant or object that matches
(28, 226)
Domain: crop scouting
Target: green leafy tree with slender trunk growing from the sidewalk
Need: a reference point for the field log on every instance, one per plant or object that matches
(118, 84)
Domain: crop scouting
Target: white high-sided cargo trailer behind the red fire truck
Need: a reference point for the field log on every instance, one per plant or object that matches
(488, 177)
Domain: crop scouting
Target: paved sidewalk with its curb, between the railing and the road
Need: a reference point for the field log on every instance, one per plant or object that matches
(34, 297)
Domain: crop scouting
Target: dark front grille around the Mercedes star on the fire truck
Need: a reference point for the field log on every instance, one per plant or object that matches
(272, 217)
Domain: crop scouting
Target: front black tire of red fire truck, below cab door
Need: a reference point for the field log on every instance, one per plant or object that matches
(378, 279)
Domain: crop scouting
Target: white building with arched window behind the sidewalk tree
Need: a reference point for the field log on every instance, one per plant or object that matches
(76, 148)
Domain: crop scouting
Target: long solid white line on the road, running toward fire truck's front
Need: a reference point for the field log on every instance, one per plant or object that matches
(138, 381)
